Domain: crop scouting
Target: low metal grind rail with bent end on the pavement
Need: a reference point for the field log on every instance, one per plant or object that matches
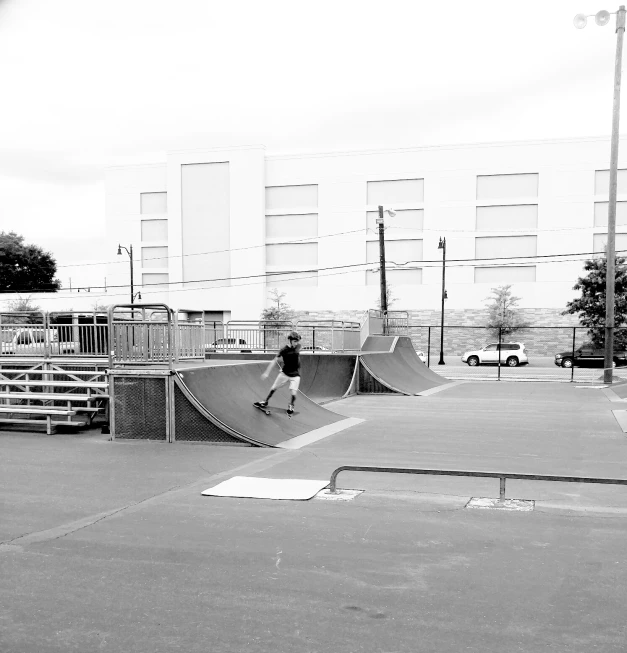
(502, 476)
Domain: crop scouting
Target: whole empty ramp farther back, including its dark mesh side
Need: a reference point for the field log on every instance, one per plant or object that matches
(395, 367)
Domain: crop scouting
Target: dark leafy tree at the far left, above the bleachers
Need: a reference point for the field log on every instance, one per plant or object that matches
(24, 267)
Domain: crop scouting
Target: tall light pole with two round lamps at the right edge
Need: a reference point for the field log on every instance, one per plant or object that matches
(603, 18)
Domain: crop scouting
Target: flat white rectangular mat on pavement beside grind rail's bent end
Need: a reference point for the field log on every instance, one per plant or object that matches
(251, 487)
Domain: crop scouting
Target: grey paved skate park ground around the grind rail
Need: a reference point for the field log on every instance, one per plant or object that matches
(109, 546)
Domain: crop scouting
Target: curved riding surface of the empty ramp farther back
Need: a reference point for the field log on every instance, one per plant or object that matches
(400, 370)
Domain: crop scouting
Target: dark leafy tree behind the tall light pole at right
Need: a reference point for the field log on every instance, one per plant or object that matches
(590, 306)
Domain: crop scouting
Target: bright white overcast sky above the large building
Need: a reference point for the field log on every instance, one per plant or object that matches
(85, 84)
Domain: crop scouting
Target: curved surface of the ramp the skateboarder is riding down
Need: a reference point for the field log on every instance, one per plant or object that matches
(224, 395)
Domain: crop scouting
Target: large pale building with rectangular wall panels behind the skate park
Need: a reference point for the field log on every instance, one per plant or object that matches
(215, 230)
